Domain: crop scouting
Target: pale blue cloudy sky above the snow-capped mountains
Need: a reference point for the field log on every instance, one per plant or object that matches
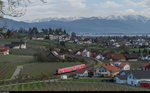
(84, 8)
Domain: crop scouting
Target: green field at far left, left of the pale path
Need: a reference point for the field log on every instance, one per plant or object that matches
(8, 64)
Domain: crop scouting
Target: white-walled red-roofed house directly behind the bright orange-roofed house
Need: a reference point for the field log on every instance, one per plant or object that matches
(121, 65)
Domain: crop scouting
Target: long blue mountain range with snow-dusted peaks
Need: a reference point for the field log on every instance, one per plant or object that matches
(112, 24)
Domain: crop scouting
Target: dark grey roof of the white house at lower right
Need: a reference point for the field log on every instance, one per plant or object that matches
(140, 74)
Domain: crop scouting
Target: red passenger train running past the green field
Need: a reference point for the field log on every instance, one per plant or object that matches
(69, 69)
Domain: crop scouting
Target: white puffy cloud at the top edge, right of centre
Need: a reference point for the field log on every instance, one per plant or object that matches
(110, 4)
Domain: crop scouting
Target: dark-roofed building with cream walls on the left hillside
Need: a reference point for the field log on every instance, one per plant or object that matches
(17, 45)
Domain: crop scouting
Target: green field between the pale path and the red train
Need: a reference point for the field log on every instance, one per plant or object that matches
(36, 69)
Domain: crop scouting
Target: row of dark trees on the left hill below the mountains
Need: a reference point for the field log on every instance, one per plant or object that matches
(30, 33)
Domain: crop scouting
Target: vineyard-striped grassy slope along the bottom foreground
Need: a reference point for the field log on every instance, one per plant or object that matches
(71, 86)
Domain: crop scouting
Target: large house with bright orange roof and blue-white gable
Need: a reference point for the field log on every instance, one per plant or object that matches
(108, 70)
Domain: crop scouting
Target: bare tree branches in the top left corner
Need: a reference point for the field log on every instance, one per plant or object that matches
(14, 8)
